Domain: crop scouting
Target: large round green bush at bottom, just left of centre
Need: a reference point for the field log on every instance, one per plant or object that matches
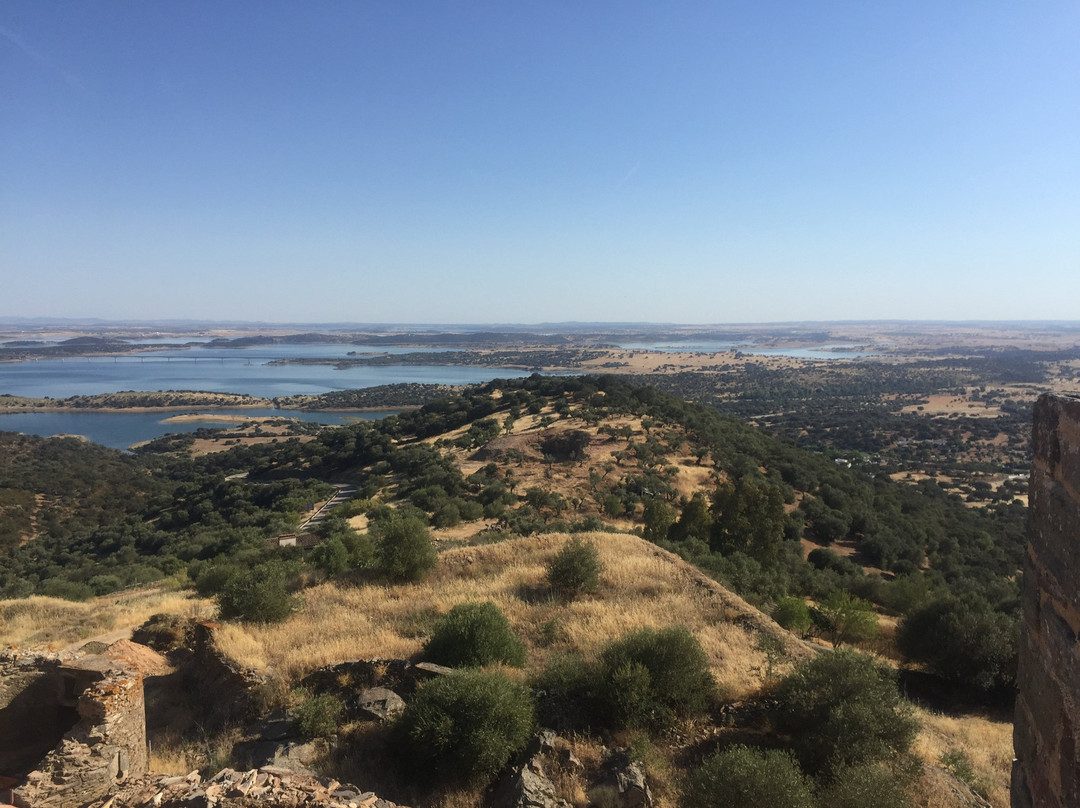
(465, 728)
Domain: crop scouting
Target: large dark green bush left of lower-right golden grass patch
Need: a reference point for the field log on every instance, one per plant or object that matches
(842, 709)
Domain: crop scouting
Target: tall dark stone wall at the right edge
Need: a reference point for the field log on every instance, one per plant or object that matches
(1047, 731)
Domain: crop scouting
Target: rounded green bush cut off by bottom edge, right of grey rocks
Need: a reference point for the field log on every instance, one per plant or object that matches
(749, 778)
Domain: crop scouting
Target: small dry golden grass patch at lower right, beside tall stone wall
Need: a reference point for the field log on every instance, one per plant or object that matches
(988, 745)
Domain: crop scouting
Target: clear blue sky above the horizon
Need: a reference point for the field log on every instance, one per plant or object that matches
(438, 163)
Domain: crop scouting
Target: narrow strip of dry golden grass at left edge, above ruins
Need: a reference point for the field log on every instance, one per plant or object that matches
(55, 624)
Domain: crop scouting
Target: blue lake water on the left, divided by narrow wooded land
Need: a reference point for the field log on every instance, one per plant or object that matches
(213, 370)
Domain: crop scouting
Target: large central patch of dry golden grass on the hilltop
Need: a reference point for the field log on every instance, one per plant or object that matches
(642, 587)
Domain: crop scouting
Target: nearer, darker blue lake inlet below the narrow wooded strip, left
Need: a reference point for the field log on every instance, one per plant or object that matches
(120, 430)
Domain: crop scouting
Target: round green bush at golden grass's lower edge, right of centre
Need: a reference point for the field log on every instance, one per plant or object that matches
(652, 677)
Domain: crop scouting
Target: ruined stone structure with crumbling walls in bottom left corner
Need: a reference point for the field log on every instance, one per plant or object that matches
(71, 729)
